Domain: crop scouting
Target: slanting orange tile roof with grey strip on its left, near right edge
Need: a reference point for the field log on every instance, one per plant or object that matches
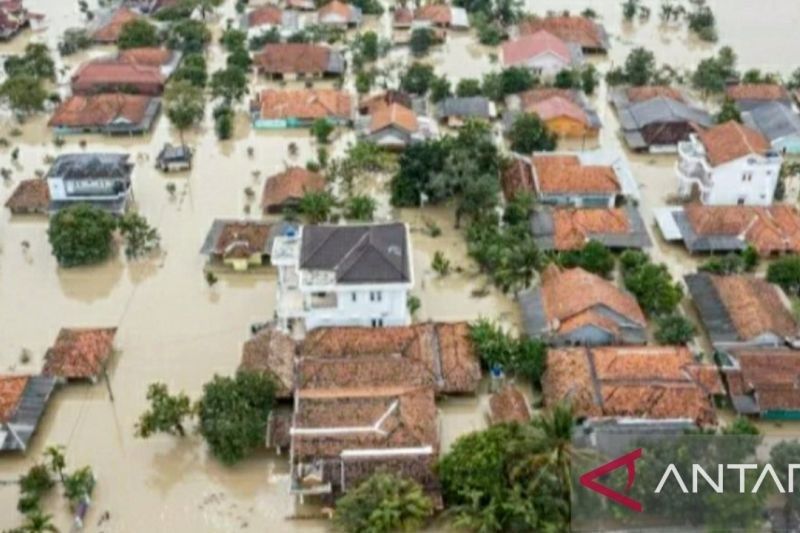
(754, 306)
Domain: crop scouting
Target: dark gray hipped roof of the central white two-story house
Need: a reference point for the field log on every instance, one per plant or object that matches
(358, 254)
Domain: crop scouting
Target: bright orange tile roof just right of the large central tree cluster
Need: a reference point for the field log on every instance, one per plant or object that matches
(565, 174)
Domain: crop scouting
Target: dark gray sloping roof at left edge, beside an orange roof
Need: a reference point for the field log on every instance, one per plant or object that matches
(18, 431)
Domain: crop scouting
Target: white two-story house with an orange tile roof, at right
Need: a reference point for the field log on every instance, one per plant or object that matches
(729, 164)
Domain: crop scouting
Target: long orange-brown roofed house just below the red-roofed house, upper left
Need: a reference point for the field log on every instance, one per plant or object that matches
(109, 113)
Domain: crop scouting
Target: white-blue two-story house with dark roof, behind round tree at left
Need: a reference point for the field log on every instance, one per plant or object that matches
(99, 179)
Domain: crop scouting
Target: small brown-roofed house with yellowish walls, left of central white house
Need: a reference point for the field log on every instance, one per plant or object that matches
(240, 244)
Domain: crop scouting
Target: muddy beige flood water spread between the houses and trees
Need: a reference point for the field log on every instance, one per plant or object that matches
(173, 328)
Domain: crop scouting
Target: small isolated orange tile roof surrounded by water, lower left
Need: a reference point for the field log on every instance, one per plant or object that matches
(79, 353)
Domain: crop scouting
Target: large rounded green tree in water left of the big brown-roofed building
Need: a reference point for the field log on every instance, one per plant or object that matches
(233, 414)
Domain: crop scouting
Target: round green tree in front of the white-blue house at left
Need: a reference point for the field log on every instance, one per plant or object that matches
(81, 235)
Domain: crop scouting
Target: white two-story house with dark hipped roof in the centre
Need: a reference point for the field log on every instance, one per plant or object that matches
(343, 276)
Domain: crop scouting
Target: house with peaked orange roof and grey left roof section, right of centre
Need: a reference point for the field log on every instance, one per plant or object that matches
(575, 307)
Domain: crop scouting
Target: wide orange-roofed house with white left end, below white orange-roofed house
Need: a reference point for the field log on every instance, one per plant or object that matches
(732, 228)
